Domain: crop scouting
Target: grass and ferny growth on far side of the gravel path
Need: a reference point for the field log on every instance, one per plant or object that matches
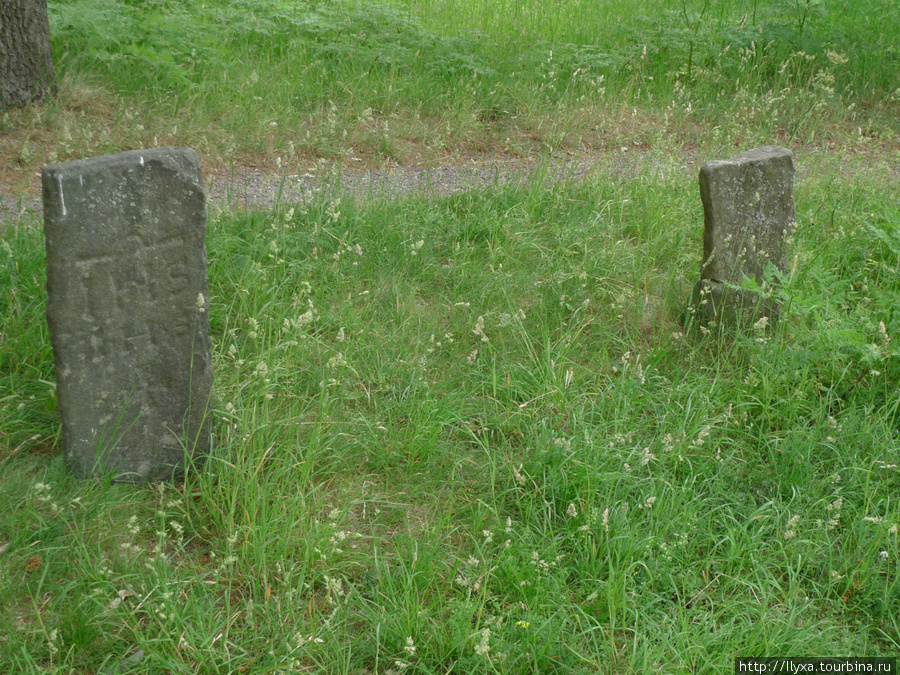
(423, 80)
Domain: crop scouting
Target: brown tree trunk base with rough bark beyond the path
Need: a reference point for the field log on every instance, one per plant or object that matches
(26, 64)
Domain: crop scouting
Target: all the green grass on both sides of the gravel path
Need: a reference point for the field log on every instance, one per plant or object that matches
(478, 433)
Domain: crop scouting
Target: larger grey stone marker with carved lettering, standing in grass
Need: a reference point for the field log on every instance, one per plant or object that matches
(127, 308)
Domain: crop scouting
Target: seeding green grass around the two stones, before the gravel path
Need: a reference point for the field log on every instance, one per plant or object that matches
(473, 434)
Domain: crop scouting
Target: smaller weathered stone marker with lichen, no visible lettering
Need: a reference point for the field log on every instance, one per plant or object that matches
(748, 206)
